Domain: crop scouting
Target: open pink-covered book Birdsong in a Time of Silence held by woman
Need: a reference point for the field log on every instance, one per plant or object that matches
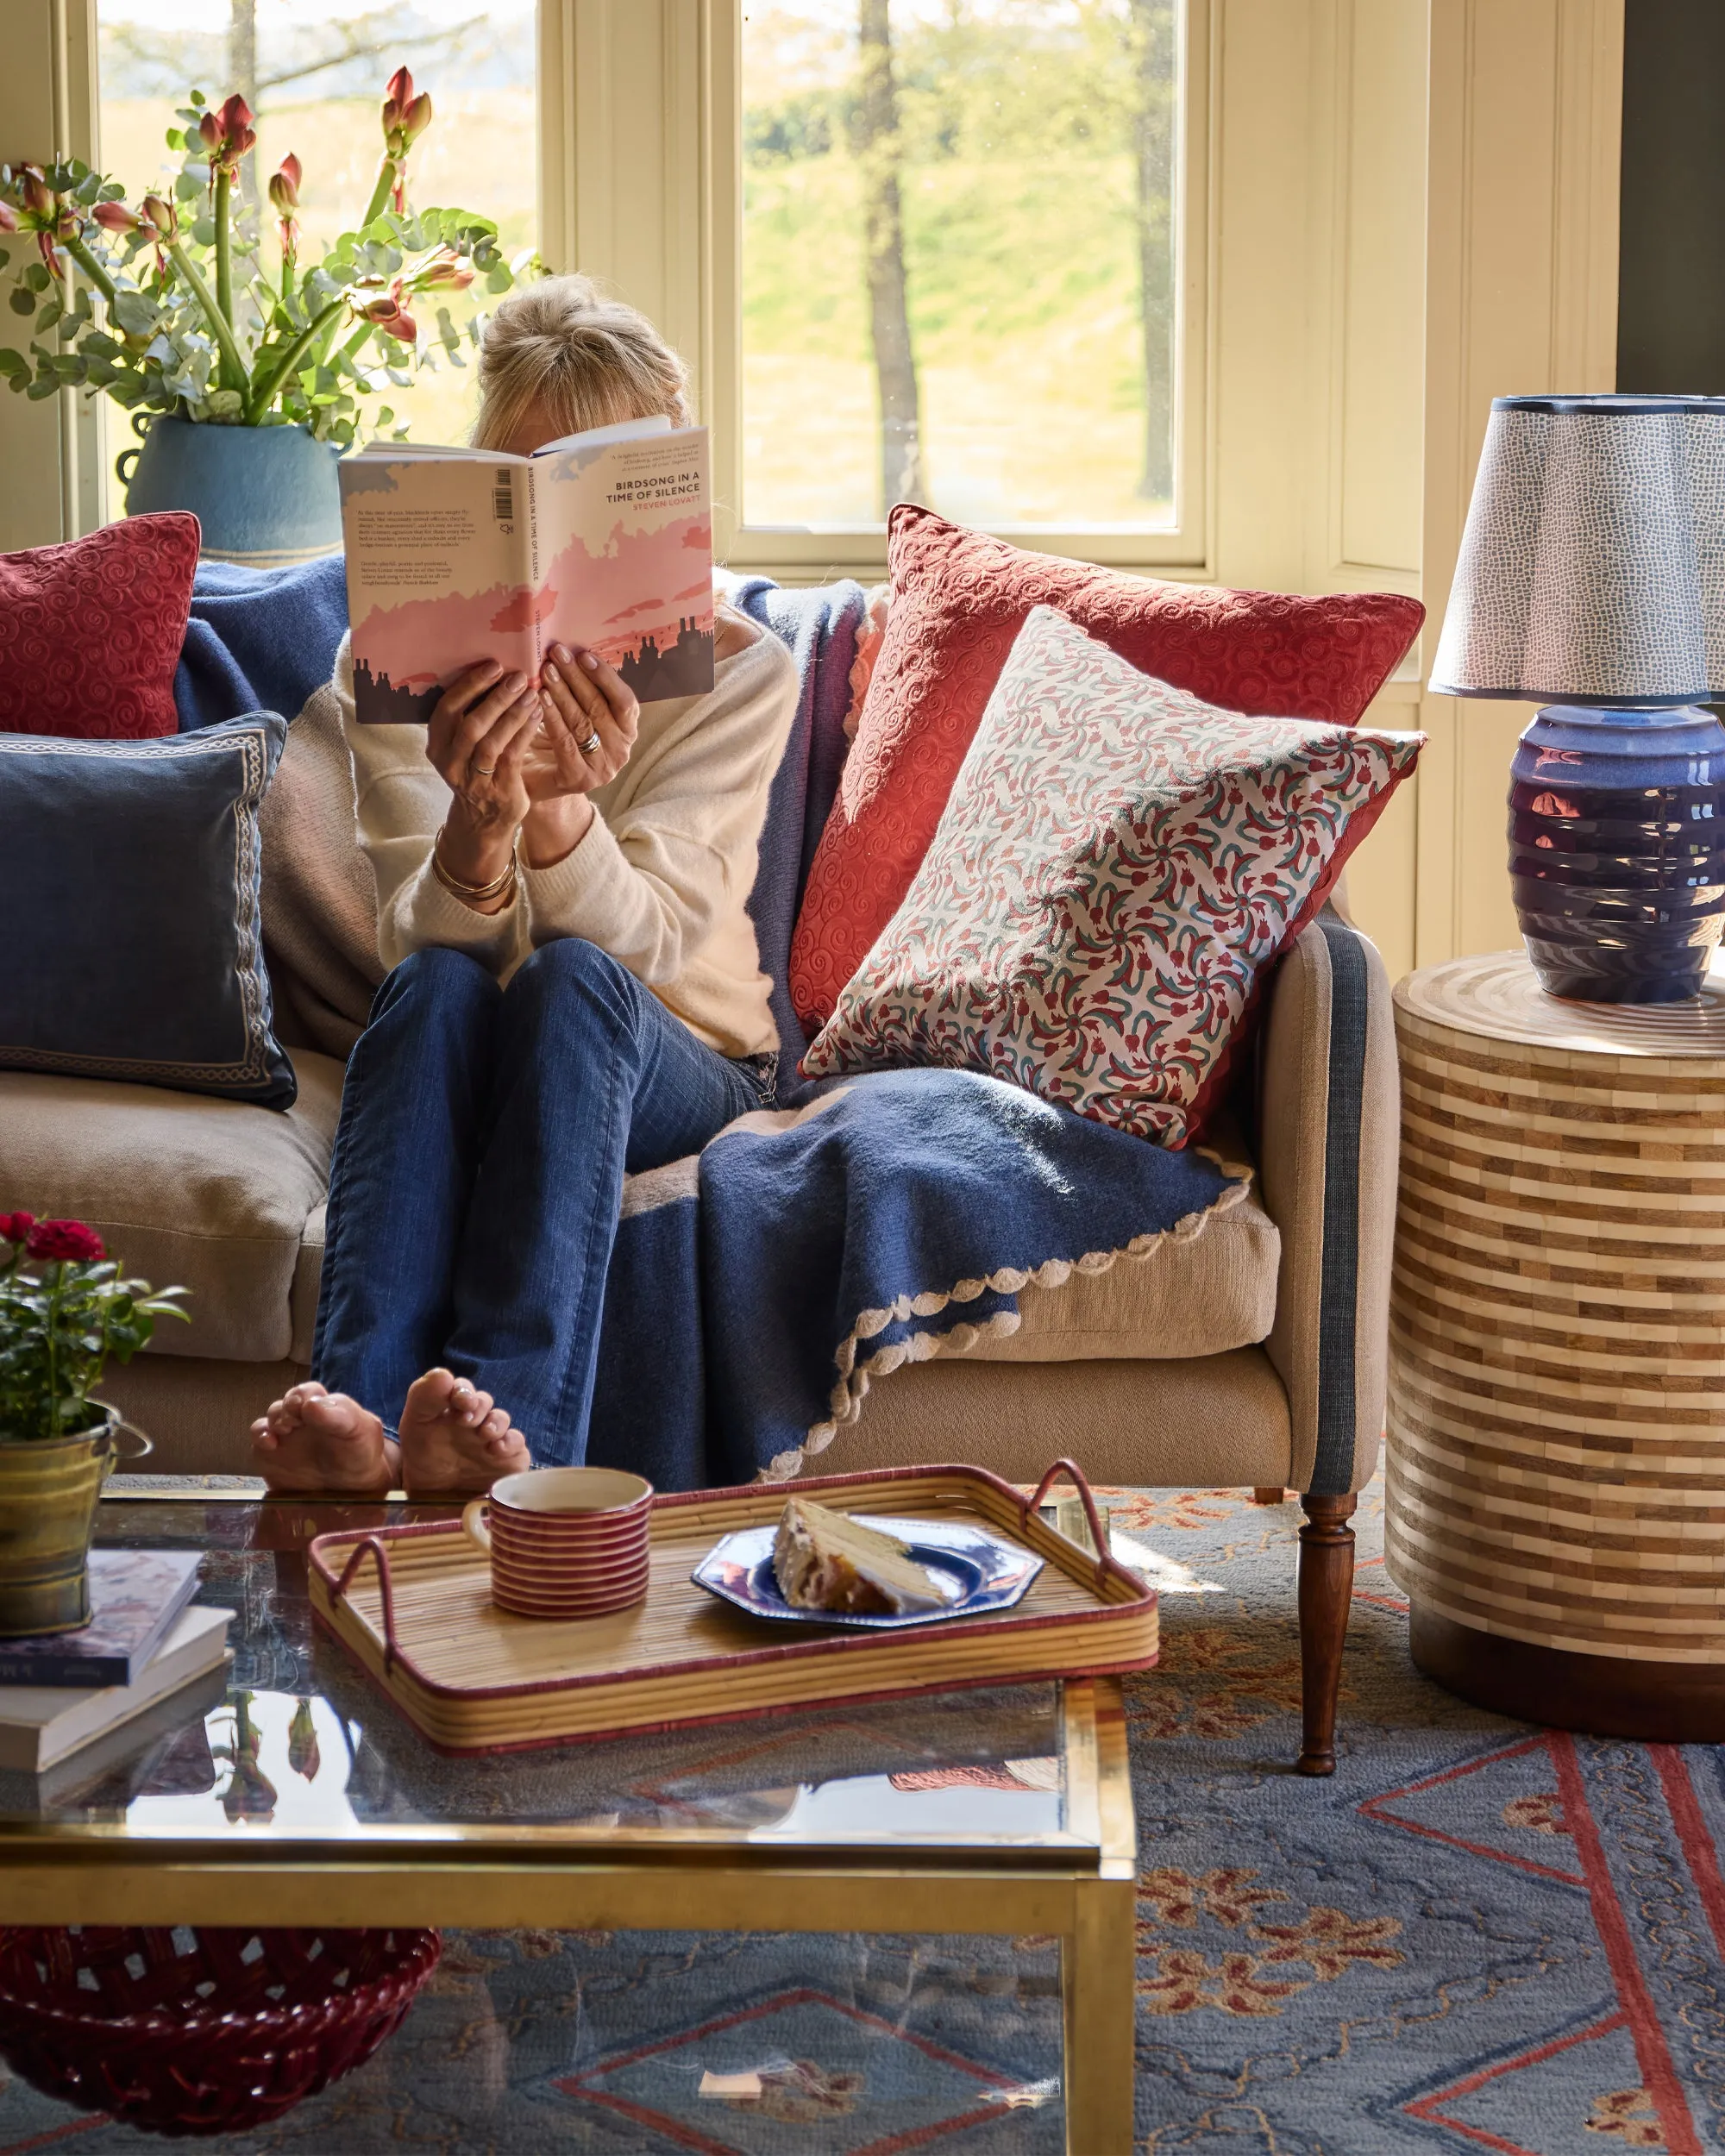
(456, 555)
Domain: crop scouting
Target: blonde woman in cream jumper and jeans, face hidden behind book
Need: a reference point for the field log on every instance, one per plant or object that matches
(575, 995)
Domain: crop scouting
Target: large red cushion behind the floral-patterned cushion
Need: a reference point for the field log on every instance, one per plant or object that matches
(958, 603)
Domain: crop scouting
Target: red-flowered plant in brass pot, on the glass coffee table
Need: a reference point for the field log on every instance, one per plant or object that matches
(64, 1312)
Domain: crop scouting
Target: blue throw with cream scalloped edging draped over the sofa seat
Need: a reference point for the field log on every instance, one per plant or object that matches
(758, 1290)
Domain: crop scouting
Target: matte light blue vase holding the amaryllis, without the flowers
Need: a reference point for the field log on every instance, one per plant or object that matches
(266, 497)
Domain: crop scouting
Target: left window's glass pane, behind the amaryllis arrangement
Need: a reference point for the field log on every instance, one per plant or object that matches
(316, 72)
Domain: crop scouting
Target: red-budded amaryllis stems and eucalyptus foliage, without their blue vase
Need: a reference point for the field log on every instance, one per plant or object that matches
(169, 309)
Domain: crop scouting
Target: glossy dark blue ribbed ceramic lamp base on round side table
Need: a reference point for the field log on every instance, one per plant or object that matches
(1618, 851)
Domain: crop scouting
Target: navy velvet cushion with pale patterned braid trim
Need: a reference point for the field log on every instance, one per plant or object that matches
(130, 907)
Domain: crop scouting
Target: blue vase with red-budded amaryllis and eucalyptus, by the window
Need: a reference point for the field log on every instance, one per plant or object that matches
(245, 376)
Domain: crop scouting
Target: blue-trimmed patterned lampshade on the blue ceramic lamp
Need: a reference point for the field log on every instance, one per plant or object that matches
(1592, 566)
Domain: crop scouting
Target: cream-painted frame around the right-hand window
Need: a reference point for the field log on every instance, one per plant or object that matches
(799, 557)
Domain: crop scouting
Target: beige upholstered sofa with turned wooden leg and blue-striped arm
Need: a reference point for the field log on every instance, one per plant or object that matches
(1252, 1355)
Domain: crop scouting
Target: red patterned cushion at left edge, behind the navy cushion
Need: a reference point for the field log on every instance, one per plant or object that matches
(92, 631)
